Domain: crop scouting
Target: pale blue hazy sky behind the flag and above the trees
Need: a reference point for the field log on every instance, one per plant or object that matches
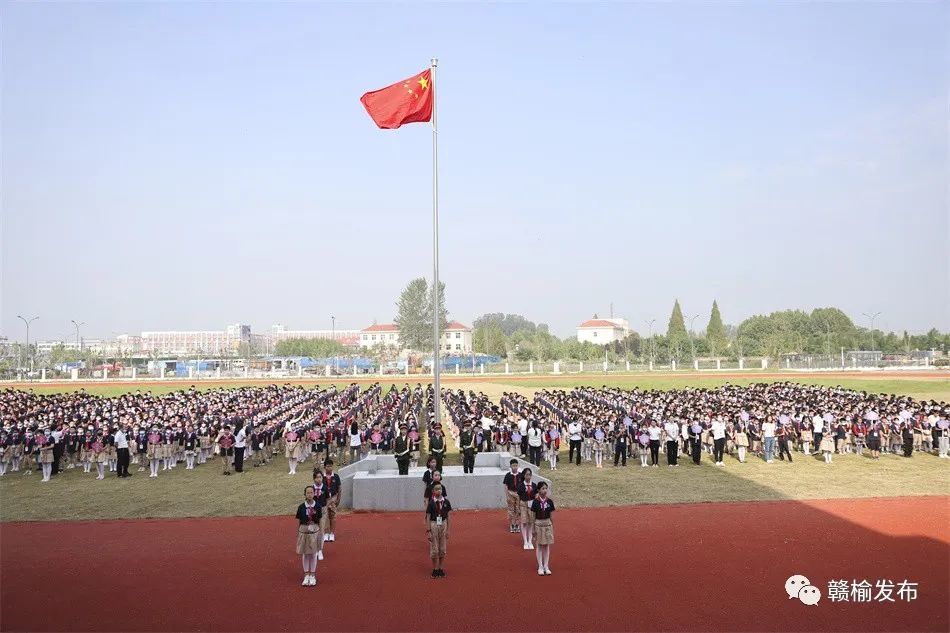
(189, 165)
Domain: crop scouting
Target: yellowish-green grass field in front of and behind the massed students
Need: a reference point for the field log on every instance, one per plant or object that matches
(270, 490)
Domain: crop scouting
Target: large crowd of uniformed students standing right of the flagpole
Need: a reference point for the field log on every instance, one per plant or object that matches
(762, 420)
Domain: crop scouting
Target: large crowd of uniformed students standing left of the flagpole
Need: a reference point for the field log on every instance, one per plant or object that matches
(248, 425)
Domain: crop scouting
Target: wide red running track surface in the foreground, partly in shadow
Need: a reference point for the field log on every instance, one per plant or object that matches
(671, 568)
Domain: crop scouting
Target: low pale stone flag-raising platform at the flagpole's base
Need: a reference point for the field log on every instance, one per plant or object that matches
(374, 483)
